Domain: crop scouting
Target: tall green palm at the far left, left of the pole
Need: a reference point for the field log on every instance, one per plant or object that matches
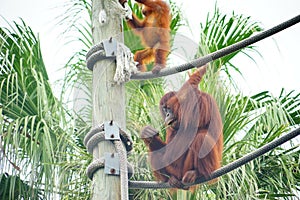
(32, 121)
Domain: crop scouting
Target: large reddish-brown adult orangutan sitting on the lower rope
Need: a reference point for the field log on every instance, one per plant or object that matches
(194, 135)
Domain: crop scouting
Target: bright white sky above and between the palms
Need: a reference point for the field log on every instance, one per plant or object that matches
(277, 68)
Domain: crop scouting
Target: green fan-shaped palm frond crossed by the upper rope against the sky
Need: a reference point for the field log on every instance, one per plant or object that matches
(220, 31)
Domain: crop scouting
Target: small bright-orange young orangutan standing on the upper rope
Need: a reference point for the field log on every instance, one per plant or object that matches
(154, 31)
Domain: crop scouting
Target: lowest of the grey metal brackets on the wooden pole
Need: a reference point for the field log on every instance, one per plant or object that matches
(112, 163)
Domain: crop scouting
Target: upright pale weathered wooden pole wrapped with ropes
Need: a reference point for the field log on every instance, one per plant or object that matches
(108, 97)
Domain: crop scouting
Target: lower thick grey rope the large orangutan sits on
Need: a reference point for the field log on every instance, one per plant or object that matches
(223, 170)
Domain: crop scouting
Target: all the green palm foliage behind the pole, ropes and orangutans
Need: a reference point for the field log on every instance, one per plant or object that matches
(41, 146)
